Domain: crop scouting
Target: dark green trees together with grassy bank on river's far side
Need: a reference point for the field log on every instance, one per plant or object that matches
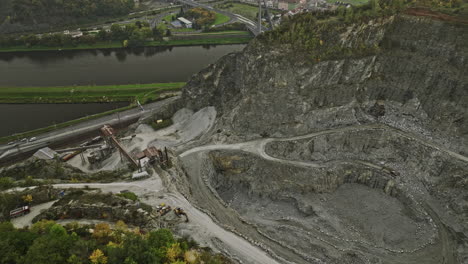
(131, 35)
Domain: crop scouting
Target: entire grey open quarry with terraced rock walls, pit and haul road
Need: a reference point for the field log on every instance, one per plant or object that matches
(354, 160)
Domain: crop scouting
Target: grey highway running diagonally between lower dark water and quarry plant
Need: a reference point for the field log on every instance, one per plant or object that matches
(61, 135)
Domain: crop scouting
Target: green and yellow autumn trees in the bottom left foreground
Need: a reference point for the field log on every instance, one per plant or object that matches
(47, 242)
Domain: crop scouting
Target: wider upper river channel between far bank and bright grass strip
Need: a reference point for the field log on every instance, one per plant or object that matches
(107, 66)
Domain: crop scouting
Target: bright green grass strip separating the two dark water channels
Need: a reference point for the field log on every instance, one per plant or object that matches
(87, 94)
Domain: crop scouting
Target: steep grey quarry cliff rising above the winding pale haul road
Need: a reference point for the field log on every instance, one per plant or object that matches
(418, 78)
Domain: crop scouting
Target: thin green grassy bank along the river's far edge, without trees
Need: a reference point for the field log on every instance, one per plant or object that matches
(209, 39)
